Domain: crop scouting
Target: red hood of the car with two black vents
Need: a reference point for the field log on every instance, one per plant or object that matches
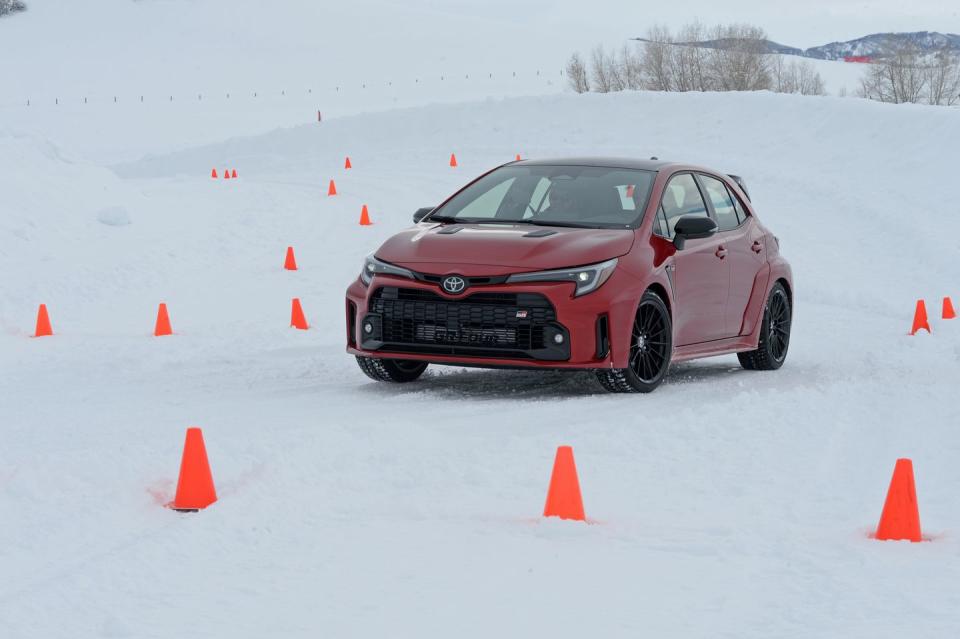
(508, 247)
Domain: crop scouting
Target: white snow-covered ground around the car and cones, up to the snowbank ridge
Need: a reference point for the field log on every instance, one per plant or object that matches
(726, 504)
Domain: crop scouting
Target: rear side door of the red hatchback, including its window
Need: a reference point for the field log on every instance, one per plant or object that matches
(743, 241)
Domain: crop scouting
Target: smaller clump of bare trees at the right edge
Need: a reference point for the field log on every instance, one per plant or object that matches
(907, 74)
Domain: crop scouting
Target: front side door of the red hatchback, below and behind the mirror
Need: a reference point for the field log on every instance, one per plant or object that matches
(700, 273)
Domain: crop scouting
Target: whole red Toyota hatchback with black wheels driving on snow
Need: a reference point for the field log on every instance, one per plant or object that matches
(616, 266)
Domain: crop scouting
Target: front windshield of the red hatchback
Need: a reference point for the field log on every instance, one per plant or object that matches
(578, 196)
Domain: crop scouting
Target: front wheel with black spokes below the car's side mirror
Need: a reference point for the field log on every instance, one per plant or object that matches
(651, 346)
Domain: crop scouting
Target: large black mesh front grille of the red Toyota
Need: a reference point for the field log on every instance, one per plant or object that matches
(479, 324)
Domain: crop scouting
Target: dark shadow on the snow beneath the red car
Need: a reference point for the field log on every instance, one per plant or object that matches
(476, 383)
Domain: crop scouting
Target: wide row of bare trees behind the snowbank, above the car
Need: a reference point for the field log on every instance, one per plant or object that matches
(724, 58)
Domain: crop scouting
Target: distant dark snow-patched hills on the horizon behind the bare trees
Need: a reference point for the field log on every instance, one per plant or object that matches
(871, 46)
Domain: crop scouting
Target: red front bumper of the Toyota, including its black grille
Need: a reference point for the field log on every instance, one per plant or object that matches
(535, 325)
